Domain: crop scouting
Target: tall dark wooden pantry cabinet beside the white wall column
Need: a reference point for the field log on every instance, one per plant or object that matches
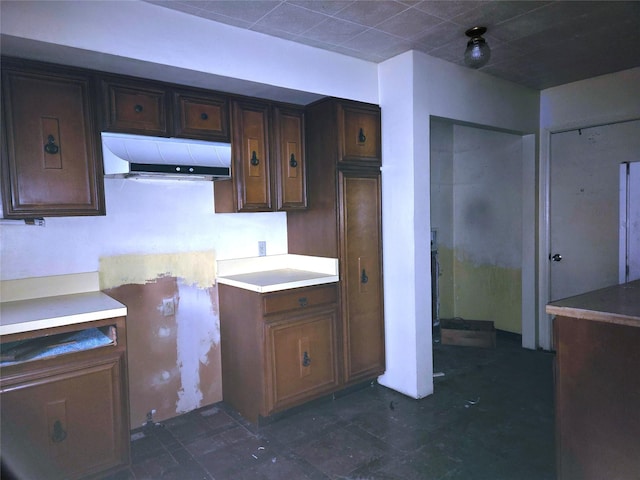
(343, 221)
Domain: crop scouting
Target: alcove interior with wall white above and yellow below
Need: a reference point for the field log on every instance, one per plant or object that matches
(477, 198)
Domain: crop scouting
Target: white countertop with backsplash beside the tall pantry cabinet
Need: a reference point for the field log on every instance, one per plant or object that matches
(277, 272)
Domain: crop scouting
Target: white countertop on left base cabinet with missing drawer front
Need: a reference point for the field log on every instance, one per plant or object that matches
(47, 312)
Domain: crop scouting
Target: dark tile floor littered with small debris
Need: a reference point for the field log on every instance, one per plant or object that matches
(491, 417)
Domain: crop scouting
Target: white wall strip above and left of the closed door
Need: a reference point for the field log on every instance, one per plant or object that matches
(595, 101)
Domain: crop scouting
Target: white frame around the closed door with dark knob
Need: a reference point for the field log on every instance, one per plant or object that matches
(545, 330)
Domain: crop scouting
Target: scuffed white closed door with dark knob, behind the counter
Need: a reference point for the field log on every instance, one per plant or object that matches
(584, 205)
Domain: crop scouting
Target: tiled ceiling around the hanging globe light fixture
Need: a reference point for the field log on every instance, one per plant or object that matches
(538, 44)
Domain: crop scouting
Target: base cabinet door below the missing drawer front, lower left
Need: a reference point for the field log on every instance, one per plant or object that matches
(67, 425)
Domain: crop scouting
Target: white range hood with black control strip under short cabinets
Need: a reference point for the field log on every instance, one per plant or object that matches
(128, 155)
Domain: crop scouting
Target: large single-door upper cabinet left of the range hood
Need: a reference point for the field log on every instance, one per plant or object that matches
(50, 156)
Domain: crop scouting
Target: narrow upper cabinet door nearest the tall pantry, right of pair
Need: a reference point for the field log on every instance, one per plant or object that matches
(290, 165)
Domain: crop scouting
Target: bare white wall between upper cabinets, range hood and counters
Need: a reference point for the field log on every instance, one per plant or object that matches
(143, 217)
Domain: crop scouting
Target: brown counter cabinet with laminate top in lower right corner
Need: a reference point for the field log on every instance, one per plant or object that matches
(597, 386)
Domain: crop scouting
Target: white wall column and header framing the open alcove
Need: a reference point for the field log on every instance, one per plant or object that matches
(414, 87)
